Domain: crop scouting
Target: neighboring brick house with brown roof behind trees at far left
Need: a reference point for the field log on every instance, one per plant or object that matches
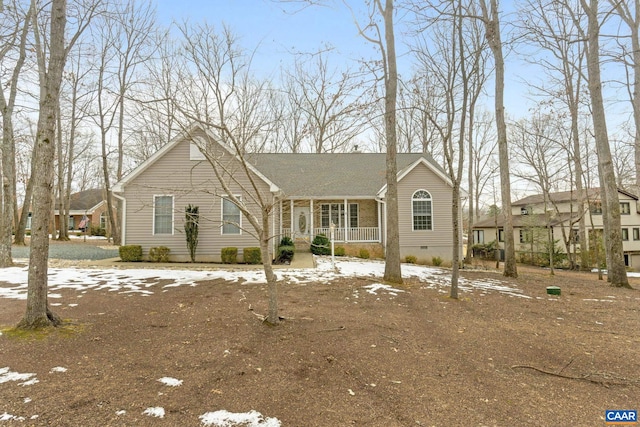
(86, 208)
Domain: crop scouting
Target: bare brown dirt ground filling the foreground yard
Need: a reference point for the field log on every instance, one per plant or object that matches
(342, 357)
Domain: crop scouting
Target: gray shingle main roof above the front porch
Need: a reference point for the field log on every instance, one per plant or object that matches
(330, 174)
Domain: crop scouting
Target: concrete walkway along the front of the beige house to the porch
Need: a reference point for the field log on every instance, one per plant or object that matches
(300, 260)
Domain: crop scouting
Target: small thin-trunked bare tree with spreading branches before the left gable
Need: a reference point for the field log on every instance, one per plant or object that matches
(220, 95)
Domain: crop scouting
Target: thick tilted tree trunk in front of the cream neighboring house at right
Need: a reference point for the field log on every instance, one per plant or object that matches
(617, 273)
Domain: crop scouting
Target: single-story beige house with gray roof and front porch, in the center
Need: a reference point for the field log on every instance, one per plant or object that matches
(308, 192)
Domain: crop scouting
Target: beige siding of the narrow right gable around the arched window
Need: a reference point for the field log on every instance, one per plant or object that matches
(438, 240)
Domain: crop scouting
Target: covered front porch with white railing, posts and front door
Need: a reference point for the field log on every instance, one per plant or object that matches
(354, 220)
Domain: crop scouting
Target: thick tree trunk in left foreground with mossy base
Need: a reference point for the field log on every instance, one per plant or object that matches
(38, 314)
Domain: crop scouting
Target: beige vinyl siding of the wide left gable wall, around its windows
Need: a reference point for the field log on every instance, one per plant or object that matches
(190, 182)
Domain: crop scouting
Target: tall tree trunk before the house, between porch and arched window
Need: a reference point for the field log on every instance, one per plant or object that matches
(392, 268)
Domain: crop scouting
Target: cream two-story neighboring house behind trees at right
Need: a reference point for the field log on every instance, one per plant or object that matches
(532, 217)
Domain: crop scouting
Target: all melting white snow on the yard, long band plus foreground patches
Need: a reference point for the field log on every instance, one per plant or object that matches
(143, 282)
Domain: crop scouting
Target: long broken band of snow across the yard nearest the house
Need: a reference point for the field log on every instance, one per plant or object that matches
(143, 281)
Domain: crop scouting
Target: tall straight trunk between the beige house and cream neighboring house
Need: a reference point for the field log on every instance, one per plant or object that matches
(492, 25)
